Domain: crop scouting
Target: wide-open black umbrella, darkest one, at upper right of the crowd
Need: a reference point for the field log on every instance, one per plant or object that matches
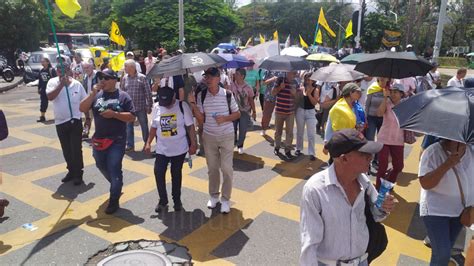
(393, 65)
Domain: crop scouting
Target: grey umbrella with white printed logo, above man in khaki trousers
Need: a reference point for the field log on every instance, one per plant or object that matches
(185, 63)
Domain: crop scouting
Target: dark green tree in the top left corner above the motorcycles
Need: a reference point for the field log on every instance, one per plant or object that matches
(24, 24)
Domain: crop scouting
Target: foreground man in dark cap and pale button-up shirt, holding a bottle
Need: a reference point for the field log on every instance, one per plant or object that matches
(333, 222)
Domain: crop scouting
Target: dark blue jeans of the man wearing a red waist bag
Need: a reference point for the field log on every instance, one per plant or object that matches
(109, 163)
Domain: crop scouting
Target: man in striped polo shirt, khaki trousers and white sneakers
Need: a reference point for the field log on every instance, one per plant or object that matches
(216, 109)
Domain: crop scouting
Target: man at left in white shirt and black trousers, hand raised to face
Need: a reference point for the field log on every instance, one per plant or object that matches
(66, 94)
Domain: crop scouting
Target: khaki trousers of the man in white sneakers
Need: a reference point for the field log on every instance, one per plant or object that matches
(219, 152)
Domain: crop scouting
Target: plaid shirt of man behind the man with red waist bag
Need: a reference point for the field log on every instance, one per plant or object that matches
(139, 90)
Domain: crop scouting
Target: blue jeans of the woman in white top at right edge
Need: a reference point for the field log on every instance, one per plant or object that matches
(442, 232)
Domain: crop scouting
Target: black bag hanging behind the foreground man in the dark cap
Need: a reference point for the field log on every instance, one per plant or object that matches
(378, 239)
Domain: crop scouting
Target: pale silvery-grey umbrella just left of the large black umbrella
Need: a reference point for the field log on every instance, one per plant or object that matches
(336, 73)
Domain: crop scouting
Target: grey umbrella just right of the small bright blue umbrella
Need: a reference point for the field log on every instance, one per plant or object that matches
(284, 63)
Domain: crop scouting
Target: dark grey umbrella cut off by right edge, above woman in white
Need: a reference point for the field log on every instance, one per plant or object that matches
(445, 113)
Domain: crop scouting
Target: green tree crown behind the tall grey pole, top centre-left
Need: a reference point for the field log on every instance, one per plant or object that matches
(154, 24)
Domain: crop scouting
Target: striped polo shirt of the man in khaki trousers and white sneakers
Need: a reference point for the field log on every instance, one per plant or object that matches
(213, 106)
